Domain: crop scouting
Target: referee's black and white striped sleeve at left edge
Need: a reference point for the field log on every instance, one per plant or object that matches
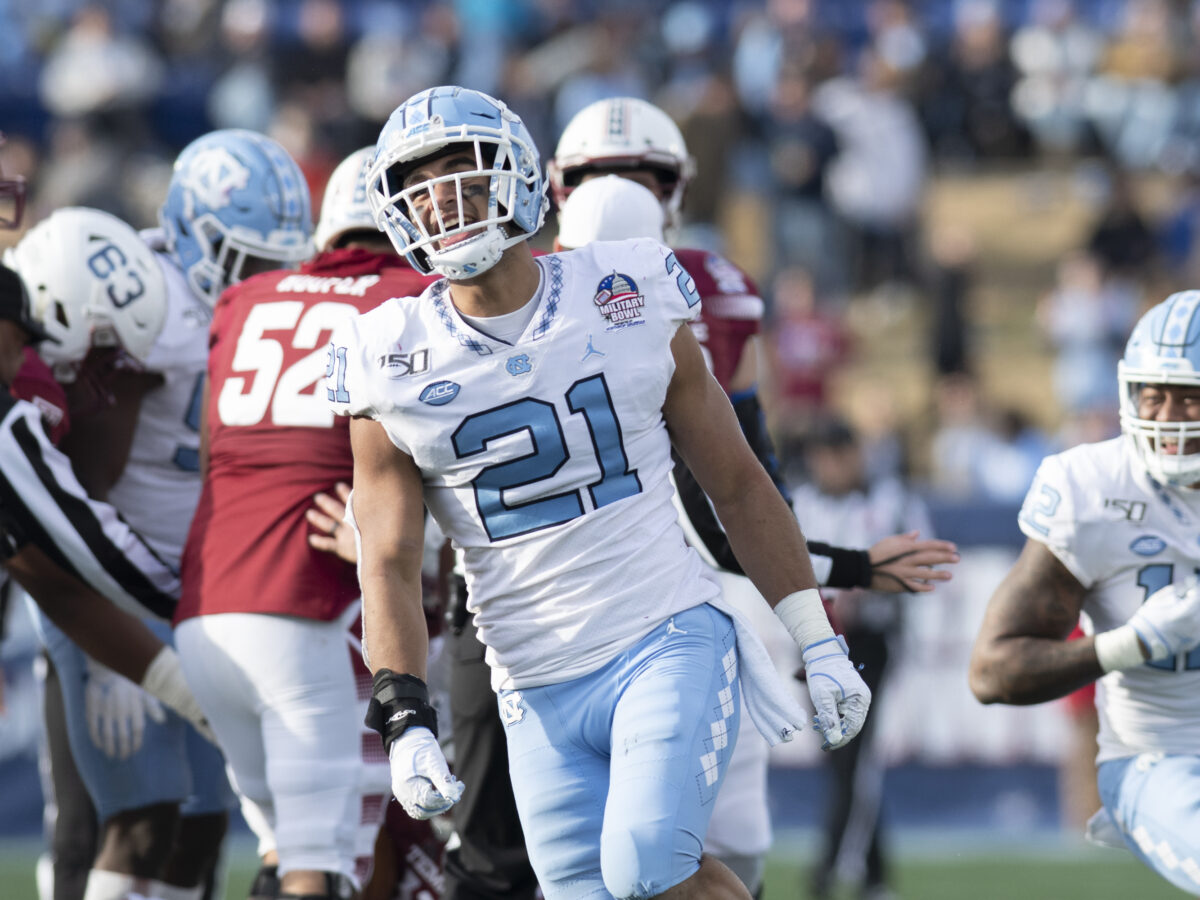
(43, 503)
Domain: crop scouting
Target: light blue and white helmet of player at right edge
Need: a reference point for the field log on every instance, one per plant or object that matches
(1165, 349)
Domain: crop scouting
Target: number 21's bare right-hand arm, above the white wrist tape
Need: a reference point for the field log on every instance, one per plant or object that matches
(761, 527)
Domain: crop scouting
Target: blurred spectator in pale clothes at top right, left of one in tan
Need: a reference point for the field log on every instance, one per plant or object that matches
(1055, 55)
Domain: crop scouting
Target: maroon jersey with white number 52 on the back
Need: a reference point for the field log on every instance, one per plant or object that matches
(274, 441)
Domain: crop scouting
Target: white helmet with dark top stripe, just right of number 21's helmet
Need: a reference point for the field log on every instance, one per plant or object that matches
(623, 134)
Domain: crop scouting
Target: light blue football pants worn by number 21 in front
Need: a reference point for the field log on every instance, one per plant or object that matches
(616, 772)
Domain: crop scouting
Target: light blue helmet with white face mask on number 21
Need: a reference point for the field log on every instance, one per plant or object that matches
(425, 127)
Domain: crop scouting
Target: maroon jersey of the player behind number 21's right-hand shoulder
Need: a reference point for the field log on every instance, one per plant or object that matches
(730, 310)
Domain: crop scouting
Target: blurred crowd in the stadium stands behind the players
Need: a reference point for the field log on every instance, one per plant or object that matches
(818, 127)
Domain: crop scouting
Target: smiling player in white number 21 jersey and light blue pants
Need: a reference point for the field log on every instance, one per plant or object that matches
(533, 405)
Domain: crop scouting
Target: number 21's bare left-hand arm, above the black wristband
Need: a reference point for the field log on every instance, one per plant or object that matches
(389, 514)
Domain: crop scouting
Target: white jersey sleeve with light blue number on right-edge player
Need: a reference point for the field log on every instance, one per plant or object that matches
(1051, 515)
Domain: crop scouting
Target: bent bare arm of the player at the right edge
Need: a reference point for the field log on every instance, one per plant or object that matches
(1022, 655)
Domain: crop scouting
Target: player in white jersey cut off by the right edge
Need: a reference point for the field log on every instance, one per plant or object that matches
(1112, 535)
